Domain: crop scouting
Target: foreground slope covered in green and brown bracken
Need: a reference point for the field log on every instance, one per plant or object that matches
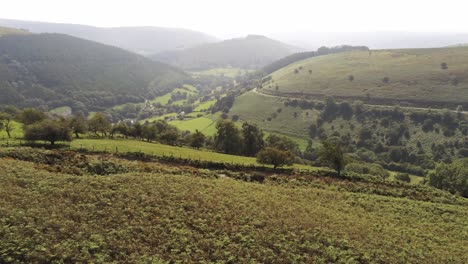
(150, 212)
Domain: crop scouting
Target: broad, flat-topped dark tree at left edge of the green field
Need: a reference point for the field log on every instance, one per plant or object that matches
(48, 130)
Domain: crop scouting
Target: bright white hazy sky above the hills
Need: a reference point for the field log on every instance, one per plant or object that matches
(239, 17)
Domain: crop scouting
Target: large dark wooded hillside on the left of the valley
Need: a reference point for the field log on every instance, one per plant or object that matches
(51, 70)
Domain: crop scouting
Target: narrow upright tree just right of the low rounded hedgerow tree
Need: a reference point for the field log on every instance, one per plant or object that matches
(331, 155)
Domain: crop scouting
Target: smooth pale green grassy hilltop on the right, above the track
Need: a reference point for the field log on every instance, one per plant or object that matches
(413, 75)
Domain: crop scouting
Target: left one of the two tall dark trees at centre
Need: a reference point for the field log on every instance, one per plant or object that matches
(228, 138)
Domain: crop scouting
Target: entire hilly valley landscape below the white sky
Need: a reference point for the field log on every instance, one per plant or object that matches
(162, 145)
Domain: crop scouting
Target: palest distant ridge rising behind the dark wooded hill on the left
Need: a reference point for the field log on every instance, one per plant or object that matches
(142, 40)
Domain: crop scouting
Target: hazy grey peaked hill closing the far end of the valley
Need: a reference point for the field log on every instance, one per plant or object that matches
(251, 52)
